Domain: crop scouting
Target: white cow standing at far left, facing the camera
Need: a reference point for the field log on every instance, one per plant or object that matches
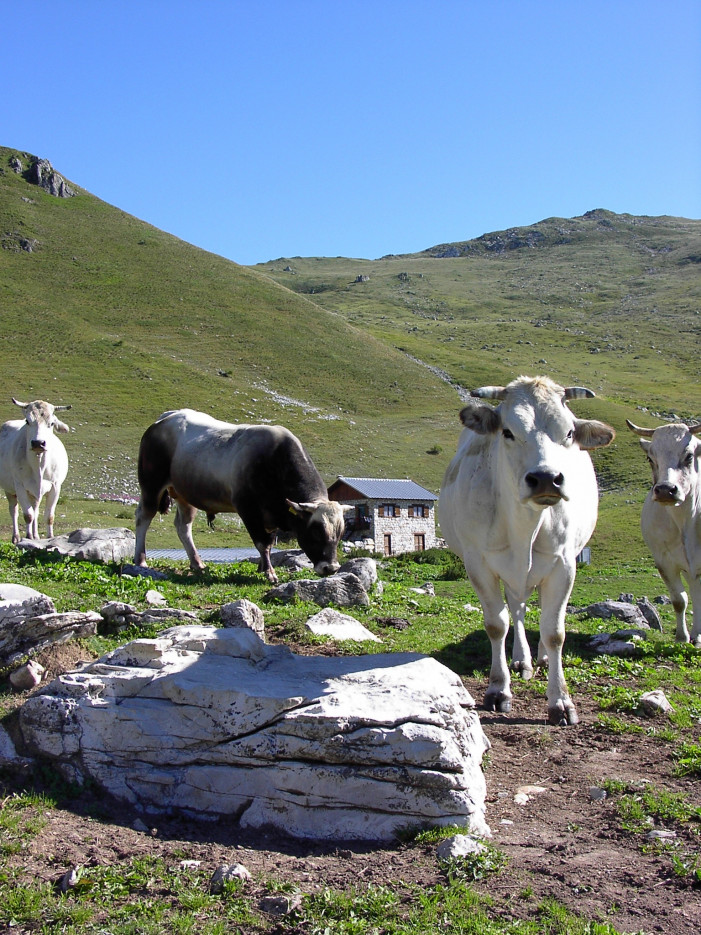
(33, 464)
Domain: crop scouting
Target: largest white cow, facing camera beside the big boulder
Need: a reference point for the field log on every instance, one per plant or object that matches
(518, 502)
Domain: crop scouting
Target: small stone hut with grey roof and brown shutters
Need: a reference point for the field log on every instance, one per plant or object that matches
(390, 516)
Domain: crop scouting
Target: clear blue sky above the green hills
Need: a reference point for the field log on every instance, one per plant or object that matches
(322, 127)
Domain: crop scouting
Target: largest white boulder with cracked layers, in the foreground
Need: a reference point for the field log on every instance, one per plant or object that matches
(214, 722)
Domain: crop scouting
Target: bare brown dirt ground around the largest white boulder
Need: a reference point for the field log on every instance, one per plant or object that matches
(560, 844)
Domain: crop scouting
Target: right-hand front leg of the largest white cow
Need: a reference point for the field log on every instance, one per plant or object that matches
(554, 592)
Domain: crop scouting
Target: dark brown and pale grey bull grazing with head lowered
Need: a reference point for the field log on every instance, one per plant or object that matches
(261, 472)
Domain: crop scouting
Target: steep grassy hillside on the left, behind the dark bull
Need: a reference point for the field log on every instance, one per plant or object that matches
(124, 321)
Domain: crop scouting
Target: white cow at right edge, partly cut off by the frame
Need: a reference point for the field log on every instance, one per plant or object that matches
(671, 516)
